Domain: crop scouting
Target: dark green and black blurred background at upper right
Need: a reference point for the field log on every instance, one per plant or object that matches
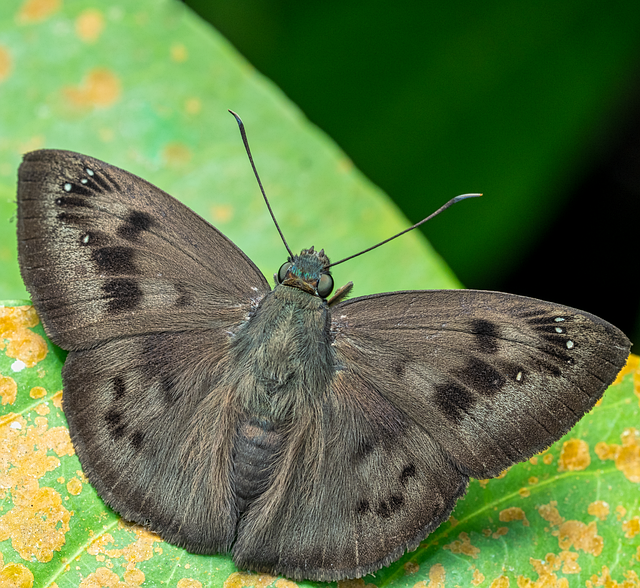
(537, 105)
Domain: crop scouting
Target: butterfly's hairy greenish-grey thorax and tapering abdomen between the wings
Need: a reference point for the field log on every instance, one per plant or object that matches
(288, 361)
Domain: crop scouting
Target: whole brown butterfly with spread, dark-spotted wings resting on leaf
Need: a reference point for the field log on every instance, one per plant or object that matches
(314, 437)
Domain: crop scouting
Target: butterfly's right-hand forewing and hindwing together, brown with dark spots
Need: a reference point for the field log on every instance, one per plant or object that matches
(429, 388)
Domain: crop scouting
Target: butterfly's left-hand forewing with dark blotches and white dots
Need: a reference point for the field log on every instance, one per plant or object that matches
(105, 254)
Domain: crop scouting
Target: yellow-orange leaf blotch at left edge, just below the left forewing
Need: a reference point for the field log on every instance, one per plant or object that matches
(23, 344)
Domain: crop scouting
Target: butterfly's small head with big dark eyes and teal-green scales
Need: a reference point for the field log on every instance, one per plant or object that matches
(307, 273)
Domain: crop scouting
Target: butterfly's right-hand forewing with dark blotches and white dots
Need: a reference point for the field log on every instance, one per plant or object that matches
(494, 377)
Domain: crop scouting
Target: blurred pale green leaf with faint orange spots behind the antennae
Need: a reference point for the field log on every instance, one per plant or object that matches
(146, 86)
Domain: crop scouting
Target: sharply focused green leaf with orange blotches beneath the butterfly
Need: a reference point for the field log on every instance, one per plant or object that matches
(572, 512)
